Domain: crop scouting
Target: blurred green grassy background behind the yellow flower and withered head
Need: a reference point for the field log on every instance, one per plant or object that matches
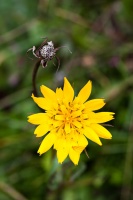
(100, 35)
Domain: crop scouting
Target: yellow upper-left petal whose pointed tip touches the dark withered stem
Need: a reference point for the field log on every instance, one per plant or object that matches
(42, 102)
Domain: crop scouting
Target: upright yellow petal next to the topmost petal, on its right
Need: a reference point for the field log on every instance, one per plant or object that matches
(85, 92)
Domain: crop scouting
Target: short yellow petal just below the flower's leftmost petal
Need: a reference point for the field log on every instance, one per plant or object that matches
(41, 130)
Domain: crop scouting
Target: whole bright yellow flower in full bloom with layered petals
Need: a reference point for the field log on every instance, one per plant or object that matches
(68, 122)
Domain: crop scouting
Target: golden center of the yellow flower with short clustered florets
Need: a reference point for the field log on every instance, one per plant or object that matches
(68, 117)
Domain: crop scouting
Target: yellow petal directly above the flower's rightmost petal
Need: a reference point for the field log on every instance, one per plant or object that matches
(94, 104)
